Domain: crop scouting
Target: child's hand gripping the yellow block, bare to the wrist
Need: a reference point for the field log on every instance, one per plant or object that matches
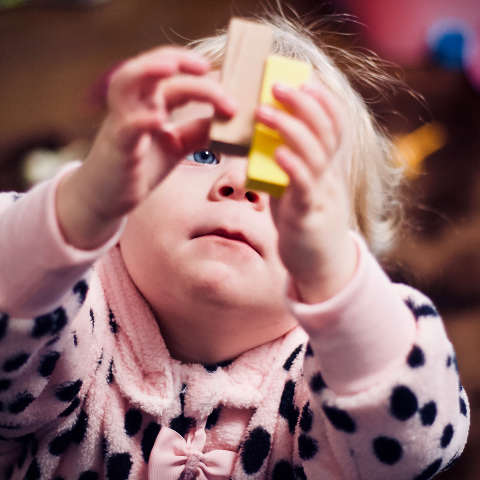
(312, 215)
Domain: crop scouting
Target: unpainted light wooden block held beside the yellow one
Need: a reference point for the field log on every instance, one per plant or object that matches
(248, 46)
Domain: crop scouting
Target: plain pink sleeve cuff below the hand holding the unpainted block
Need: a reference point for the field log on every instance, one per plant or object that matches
(37, 266)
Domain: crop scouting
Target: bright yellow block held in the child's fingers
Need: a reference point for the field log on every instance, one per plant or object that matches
(263, 172)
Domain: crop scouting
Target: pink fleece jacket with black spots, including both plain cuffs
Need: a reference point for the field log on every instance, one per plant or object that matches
(366, 387)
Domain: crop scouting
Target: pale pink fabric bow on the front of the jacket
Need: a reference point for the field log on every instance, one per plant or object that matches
(173, 458)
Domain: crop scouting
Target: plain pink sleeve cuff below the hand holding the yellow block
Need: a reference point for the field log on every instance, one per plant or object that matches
(363, 333)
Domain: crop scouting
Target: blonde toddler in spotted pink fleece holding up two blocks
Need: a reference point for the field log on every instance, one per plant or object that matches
(160, 321)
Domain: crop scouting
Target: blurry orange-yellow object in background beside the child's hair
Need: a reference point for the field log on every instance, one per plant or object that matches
(414, 147)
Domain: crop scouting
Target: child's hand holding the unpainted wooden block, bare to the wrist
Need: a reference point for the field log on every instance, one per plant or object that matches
(137, 146)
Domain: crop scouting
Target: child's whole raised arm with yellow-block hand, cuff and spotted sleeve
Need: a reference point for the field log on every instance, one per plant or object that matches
(384, 398)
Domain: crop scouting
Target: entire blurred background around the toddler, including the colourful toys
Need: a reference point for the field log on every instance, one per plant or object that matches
(56, 55)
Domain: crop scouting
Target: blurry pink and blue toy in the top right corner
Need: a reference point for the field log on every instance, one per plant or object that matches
(413, 33)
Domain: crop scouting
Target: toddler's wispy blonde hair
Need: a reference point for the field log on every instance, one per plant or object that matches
(371, 174)
